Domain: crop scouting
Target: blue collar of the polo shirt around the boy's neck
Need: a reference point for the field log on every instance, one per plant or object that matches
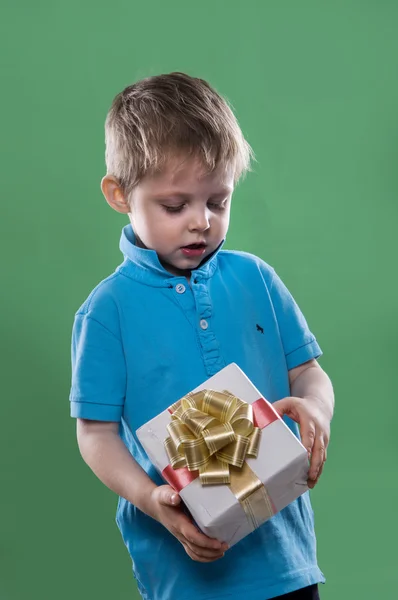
(144, 264)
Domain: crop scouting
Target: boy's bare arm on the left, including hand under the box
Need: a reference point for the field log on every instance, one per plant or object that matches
(105, 453)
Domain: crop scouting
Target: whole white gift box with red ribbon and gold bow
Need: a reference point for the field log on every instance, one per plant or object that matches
(233, 460)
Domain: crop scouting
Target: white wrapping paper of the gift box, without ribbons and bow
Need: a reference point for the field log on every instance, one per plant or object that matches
(281, 465)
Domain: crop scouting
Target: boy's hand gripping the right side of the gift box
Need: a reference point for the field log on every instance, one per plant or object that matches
(314, 430)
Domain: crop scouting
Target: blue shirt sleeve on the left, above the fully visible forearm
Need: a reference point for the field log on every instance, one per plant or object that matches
(98, 371)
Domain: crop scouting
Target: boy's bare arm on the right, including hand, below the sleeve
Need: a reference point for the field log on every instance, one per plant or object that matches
(311, 404)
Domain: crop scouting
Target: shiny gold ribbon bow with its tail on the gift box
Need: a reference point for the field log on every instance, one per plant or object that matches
(213, 432)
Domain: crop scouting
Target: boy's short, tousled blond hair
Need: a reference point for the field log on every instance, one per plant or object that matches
(158, 116)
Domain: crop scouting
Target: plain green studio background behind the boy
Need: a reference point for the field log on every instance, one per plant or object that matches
(315, 88)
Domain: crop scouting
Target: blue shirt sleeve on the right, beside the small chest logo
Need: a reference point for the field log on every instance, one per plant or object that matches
(298, 342)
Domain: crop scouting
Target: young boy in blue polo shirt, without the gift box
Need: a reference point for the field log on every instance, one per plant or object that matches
(175, 312)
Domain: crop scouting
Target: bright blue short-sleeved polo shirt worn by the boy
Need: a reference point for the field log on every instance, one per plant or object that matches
(143, 339)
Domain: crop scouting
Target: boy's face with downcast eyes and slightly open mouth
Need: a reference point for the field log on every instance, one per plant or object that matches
(182, 213)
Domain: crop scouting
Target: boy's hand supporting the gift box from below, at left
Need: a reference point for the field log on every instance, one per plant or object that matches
(167, 510)
